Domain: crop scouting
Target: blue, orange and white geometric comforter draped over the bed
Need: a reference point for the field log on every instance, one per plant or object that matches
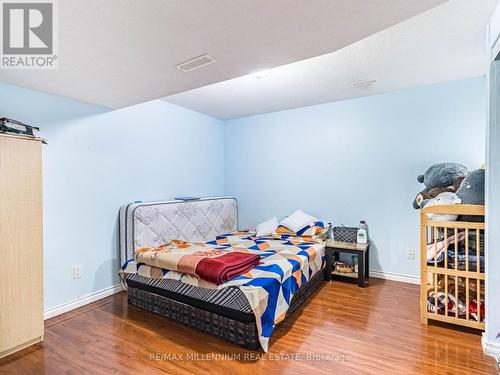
(286, 263)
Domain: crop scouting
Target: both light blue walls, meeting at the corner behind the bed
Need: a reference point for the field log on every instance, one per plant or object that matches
(344, 161)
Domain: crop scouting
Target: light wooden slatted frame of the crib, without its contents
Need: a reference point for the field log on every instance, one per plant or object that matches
(433, 274)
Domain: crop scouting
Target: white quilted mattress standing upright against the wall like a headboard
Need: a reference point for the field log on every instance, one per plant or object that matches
(154, 223)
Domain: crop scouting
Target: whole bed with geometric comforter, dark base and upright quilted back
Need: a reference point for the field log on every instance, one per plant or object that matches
(231, 310)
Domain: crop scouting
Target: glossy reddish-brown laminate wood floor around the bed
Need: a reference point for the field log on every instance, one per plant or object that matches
(341, 329)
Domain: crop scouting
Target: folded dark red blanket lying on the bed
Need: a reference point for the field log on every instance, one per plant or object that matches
(226, 267)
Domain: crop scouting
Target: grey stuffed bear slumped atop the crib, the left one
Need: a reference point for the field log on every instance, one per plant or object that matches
(439, 178)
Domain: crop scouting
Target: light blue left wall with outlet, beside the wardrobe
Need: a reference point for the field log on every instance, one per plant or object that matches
(98, 160)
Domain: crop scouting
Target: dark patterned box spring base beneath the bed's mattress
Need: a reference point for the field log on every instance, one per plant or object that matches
(235, 331)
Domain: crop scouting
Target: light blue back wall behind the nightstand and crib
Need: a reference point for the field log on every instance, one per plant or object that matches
(356, 159)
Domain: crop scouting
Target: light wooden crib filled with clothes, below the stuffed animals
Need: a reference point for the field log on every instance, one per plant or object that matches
(452, 266)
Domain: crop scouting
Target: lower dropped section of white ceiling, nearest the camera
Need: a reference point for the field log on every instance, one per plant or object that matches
(117, 53)
